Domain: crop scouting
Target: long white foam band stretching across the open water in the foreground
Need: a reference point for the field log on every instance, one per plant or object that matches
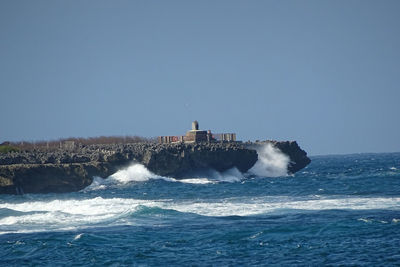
(76, 214)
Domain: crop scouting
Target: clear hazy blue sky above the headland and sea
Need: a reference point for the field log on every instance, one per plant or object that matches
(324, 73)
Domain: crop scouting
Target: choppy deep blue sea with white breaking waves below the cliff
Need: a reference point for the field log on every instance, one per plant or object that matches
(340, 210)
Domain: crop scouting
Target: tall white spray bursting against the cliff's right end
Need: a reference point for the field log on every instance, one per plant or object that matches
(271, 162)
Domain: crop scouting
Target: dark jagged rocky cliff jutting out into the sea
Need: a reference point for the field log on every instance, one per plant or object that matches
(70, 170)
